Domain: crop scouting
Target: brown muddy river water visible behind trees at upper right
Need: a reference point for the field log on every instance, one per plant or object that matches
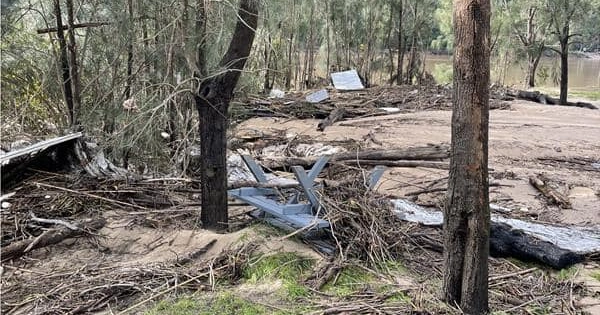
(584, 73)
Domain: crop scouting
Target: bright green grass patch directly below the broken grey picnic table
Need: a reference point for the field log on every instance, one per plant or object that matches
(290, 268)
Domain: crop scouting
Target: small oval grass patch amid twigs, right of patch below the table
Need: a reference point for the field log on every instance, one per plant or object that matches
(348, 281)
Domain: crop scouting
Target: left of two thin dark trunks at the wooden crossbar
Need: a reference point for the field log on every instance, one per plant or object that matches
(64, 62)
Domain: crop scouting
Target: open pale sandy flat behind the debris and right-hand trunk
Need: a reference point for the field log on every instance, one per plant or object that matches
(518, 138)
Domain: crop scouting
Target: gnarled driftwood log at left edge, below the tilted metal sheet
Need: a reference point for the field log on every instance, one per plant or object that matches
(49, 237)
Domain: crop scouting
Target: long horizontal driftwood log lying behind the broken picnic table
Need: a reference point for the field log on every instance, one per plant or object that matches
(425, 153)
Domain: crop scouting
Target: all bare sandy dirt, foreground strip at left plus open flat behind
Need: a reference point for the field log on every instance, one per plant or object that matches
(526, 140)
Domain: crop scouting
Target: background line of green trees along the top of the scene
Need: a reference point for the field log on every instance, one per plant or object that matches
(137, 61)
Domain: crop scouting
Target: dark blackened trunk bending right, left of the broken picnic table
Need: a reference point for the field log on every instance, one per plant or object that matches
(212, 102)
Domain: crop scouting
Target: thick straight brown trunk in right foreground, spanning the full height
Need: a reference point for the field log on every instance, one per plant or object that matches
(467, 217)
